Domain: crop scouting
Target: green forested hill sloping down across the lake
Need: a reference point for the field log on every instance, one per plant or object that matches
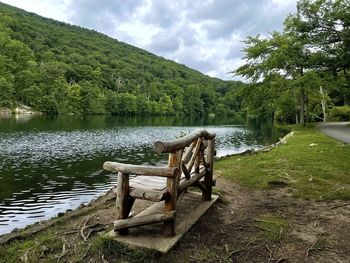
(61, 69)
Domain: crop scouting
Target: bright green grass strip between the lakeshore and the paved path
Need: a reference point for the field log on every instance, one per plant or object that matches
(310, 164)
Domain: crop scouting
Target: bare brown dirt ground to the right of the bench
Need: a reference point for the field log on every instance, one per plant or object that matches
(315, 231)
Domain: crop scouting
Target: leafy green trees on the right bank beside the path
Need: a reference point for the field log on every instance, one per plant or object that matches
(312, 52)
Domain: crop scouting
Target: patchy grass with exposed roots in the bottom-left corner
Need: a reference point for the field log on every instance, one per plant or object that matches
(47, 246)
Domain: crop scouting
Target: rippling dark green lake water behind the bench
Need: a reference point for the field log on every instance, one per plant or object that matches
(51, 164)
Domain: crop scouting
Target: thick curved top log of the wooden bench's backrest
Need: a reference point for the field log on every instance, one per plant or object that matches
(173, 146)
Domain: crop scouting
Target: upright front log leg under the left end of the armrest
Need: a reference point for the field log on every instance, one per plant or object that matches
(122, 198)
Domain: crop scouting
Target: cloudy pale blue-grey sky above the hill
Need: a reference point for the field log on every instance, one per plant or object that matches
(205, 35)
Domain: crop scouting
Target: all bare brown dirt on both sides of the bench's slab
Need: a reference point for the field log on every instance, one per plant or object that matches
(246, 225)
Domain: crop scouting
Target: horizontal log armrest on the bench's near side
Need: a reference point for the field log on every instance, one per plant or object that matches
(140, 170)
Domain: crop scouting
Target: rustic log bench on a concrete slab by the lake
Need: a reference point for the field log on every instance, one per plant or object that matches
(190, 160)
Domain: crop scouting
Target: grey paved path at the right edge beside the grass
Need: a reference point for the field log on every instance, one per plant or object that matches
(337, 130)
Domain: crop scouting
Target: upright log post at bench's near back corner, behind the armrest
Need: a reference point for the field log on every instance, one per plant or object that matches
(171, 185)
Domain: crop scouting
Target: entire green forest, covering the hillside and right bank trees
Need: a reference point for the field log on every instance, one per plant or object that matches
(295, 76)
